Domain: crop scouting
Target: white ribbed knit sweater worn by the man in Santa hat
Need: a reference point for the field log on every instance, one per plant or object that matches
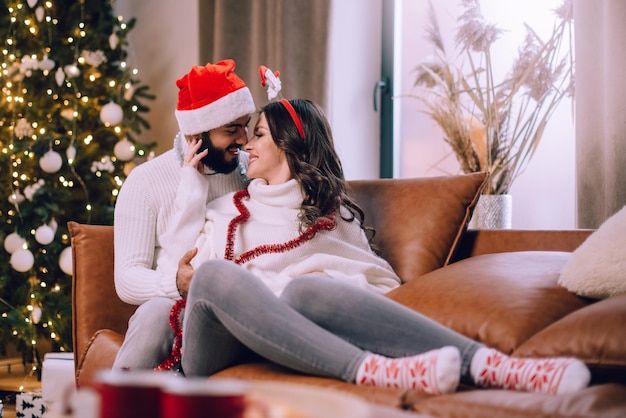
(142, 213)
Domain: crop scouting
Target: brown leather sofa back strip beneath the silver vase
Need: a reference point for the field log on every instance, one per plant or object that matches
(488, 241)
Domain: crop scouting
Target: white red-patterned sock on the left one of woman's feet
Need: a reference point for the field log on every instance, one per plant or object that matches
(435, 372)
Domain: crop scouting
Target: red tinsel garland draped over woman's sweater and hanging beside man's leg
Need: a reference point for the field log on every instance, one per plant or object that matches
(244, 216)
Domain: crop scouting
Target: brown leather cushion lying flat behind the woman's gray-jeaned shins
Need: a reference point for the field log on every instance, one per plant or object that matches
(498, 299)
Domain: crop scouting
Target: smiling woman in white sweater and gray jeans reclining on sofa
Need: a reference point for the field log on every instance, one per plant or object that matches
(284, 269)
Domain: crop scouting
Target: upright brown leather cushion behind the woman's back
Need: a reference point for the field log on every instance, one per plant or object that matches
(419, 222)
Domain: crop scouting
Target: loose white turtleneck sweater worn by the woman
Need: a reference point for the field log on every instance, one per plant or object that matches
(342, 253)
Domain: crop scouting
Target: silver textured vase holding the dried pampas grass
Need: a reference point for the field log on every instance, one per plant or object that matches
(493, 211)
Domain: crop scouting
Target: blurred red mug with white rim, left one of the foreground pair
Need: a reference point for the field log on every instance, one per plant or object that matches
(126, 394)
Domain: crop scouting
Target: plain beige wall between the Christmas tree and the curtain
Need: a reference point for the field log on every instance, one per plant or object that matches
(163, 47)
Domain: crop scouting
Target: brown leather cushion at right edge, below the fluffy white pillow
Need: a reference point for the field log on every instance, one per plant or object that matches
(594, 334)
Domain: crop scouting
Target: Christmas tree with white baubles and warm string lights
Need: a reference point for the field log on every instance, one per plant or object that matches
(69, 119)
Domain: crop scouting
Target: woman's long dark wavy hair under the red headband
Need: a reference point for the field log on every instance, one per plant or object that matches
(313, 160)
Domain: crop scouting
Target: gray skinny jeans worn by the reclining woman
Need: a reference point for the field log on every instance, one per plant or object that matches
(318, 326)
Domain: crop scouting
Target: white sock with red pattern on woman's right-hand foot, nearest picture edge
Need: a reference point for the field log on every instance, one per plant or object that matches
(491, 368)
